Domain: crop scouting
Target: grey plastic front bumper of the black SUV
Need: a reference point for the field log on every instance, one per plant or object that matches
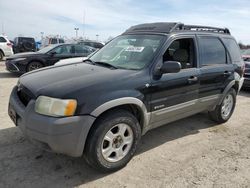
(61, 135)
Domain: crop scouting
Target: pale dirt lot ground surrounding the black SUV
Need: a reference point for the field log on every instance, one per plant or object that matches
(193, 152)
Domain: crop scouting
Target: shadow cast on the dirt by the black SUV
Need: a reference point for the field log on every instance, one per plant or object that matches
(23, 164)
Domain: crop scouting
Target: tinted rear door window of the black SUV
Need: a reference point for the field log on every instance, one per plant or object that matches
(212, 51)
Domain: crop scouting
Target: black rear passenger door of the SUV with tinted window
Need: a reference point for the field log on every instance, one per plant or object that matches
(215, 67)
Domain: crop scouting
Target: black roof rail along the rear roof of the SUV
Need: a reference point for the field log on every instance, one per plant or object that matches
(206, 29)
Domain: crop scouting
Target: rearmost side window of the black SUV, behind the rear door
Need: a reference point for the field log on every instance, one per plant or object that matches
(233, 49)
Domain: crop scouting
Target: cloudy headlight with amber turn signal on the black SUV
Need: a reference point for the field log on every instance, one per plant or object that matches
(55, 107)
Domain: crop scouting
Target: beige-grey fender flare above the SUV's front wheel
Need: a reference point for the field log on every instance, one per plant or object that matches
(123, 101)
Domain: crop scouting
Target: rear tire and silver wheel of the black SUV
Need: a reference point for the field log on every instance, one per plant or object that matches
(225, 109)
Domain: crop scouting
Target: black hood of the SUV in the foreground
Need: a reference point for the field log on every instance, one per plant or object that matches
(62, 81)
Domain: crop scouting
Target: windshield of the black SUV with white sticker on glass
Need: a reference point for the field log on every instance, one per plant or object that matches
(129, 51)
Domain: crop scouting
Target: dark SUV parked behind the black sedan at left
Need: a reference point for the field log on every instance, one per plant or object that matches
(24, 44)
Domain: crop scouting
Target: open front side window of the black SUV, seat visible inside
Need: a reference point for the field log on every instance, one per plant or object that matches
(183, 51)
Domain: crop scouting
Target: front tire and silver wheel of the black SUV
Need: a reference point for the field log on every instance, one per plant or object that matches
(112, 141)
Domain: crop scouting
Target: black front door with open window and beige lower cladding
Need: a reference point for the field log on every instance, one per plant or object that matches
(175, 95)
